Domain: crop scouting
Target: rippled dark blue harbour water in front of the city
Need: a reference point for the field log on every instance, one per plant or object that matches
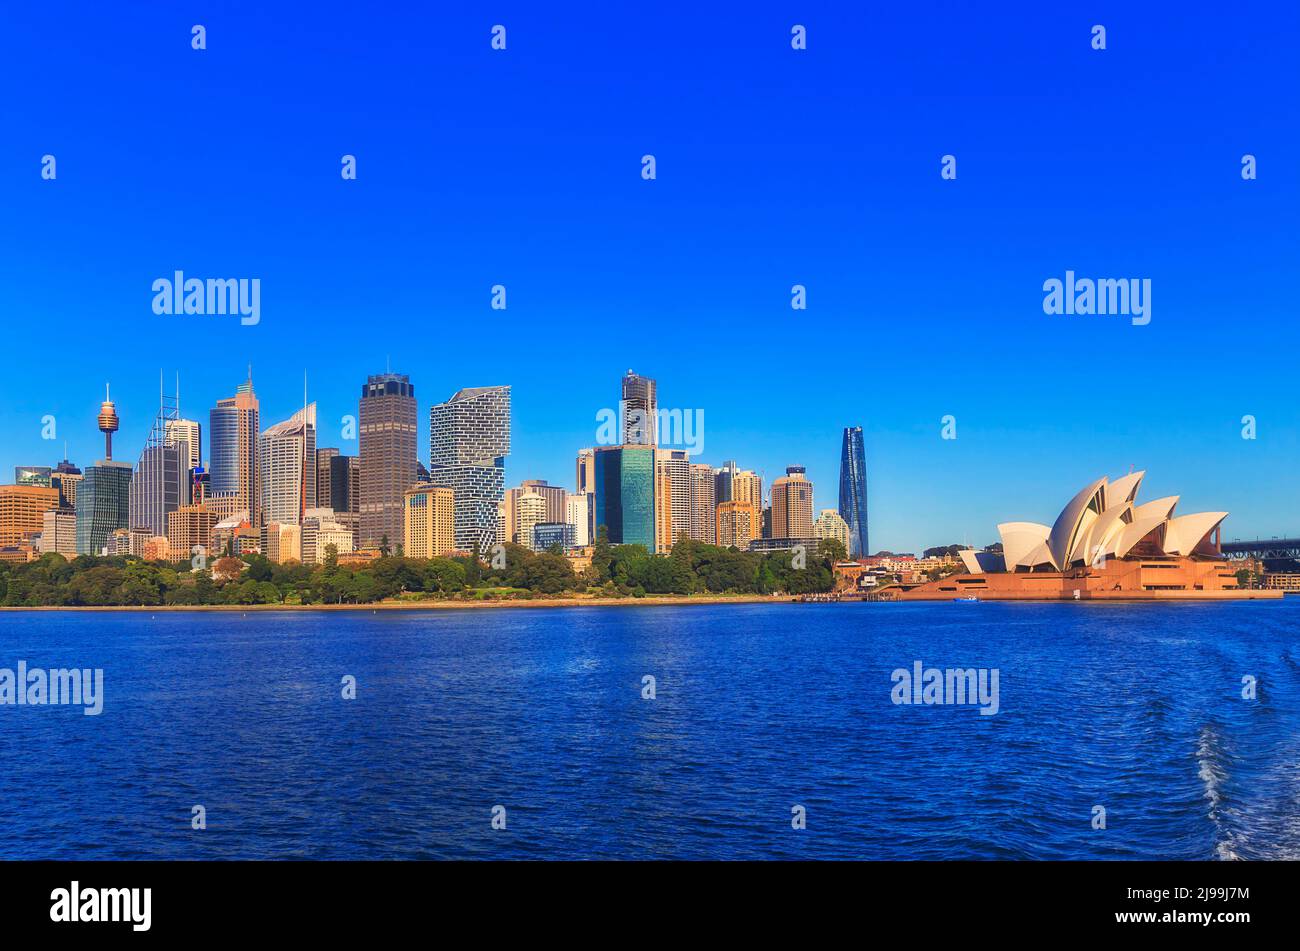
(1134, 707)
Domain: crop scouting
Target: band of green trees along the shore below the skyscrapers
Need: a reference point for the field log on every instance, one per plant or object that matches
(617, 572)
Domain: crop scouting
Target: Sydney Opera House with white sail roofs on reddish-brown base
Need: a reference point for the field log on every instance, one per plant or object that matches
(1103, 546)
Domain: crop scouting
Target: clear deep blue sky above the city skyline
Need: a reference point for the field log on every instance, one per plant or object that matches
(774, 168)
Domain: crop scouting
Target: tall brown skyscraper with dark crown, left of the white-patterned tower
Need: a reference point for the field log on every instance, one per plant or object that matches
(388, 453)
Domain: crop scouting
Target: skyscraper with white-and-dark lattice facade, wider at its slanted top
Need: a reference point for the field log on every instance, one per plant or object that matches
(469, 444)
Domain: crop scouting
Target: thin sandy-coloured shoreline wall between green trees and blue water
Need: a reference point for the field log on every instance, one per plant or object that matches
(652, 601)
